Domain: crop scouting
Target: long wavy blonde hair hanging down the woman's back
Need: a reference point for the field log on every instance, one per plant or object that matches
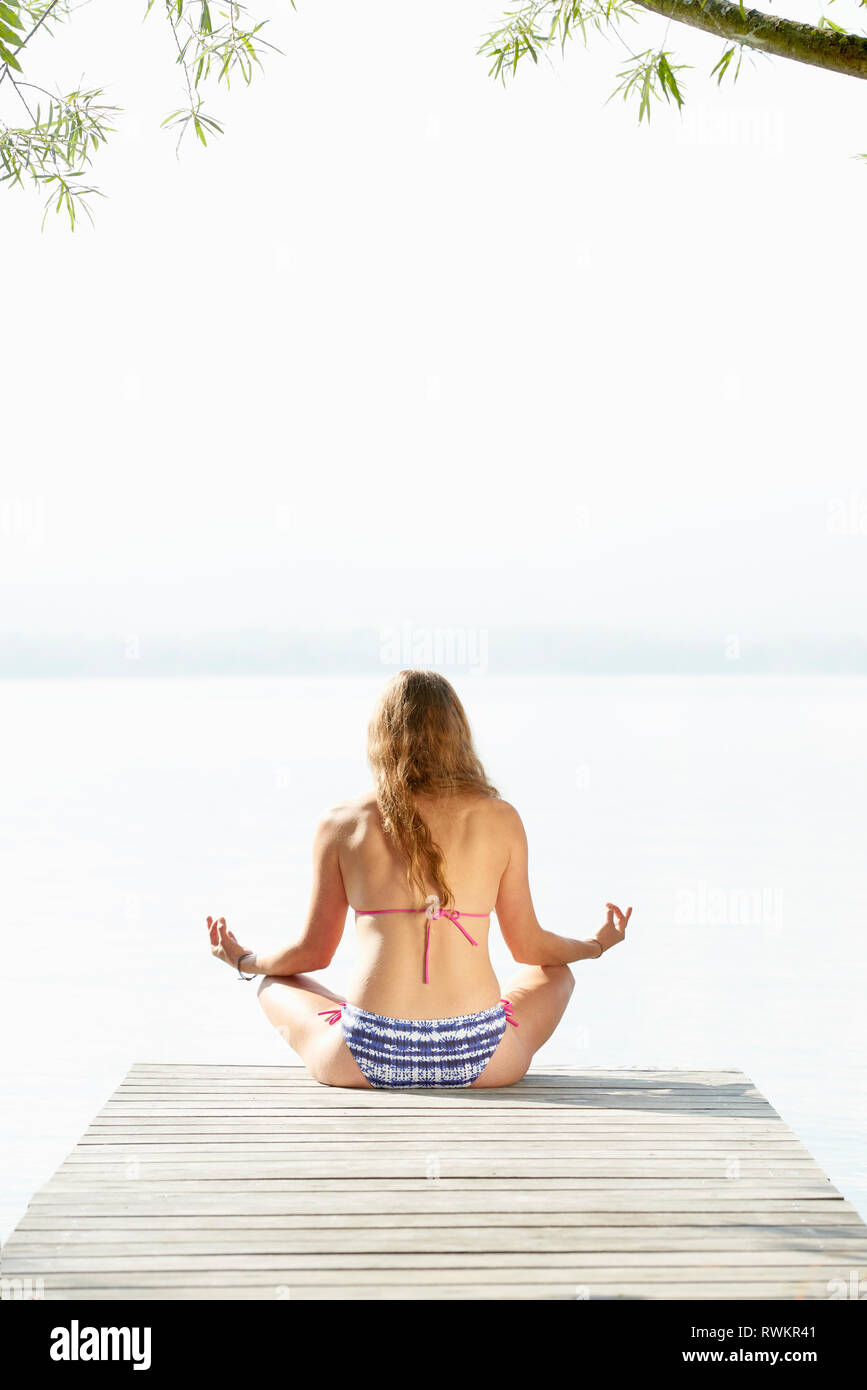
(419, 740)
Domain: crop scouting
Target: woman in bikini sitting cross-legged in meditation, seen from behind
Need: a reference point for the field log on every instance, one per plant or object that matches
(424, 1006)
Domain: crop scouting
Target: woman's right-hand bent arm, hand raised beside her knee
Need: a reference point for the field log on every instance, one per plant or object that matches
(523, 933)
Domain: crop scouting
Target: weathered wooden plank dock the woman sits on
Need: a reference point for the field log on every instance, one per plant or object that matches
(255, 1182)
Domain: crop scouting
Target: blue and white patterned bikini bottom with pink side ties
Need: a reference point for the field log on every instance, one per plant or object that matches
(424, 1052)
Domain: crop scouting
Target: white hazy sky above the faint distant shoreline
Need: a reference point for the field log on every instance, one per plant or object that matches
(406, 345)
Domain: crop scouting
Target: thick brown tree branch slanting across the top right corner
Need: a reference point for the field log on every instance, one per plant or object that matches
(780, 38)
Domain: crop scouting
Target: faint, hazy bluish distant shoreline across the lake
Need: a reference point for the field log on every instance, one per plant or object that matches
(470, 651)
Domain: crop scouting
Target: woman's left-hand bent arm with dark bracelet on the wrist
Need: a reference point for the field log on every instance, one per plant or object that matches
(326, 917)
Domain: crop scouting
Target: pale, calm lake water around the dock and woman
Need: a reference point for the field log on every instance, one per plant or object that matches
(729, 811)
